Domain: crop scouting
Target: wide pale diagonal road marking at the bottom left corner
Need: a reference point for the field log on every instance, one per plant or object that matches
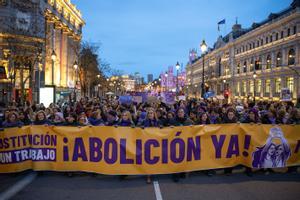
(20, 185)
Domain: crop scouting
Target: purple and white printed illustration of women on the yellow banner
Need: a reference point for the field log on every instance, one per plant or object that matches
(274, 153)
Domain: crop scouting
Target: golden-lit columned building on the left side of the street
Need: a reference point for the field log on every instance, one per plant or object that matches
(39, 44)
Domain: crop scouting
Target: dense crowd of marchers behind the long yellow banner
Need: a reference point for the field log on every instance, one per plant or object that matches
(111, 112)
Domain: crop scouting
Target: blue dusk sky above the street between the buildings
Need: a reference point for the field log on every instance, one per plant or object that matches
(148, 36)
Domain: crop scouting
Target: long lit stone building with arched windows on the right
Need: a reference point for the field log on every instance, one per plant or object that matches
(259, 61)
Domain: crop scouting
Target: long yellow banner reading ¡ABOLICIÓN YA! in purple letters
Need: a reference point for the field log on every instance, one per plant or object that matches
(124, 150)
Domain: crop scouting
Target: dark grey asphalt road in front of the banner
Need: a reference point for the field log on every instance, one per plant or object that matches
(52, 185)
